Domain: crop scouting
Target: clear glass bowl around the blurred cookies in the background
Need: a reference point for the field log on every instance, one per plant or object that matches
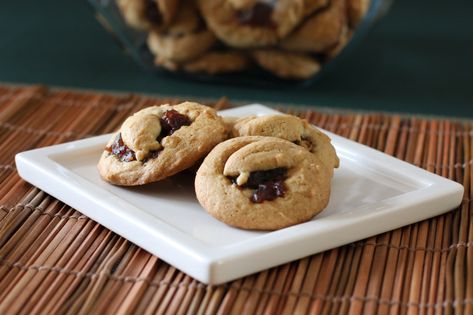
(134, 44)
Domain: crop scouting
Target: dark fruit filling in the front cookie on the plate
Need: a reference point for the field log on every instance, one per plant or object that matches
(267, 185)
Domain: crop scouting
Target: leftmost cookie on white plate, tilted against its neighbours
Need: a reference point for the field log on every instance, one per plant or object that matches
(159, 141)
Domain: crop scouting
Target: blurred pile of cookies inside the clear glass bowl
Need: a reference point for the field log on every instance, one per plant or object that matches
(289, 38)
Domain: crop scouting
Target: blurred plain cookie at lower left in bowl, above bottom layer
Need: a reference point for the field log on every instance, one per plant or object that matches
(180, 48)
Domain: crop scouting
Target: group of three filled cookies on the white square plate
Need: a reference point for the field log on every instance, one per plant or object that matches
(259, 173)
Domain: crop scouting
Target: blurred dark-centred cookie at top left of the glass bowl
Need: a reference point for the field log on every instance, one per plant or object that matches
(147, 14)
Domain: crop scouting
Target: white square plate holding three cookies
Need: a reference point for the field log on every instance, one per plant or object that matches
(371, 193)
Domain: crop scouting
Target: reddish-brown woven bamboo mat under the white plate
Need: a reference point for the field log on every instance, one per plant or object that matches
(53, 259)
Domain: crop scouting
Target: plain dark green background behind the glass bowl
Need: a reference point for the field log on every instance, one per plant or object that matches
(418, 59)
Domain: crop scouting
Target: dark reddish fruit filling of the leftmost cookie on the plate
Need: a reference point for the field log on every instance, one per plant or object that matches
(171, 121)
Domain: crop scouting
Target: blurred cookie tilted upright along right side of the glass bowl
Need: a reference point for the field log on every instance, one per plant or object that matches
(320, 32)
